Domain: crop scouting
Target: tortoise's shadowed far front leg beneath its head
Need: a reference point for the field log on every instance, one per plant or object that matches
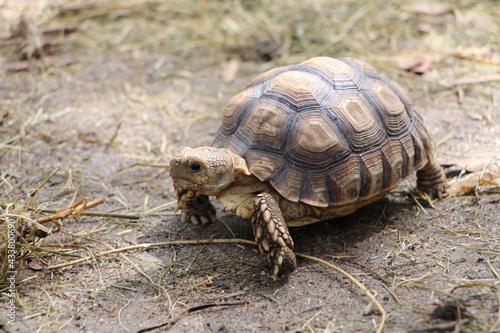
(196, 207)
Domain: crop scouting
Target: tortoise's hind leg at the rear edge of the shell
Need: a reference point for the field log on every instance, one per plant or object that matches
(431, 179)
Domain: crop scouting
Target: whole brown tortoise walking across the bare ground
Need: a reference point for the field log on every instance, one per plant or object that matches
(306, 143)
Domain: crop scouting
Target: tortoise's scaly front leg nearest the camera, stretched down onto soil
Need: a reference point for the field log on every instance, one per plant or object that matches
(271, 233)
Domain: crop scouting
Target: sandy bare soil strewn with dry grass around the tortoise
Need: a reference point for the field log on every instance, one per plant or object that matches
(113, 89)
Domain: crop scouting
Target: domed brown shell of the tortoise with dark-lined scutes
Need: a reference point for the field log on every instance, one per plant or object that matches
(325, 131)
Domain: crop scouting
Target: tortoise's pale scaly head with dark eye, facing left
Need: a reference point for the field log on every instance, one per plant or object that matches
(207, 170)
